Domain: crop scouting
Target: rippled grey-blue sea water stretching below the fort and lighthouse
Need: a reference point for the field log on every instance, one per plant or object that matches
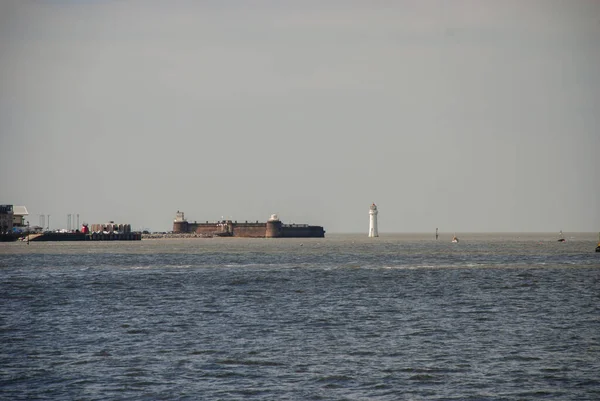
(343, 318)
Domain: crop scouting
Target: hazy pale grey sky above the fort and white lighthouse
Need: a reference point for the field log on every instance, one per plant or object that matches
(467, 116)
